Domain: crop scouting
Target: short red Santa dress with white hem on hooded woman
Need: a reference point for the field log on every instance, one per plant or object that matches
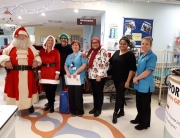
(48, 73)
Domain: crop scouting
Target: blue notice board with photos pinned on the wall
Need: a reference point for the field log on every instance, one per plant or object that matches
(138, 28)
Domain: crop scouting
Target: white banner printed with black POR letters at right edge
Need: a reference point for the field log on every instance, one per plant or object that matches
(172, 112)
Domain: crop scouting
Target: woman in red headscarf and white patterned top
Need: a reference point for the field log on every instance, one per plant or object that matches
(98, 63)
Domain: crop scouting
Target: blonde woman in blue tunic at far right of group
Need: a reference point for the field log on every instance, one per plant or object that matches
(144, 84)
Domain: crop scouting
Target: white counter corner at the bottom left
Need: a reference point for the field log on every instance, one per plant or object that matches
(8, 120)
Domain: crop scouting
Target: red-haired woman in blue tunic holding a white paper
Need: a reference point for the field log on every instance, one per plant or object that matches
(75, 65)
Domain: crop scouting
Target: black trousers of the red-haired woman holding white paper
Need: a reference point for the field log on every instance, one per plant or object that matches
(76, 99)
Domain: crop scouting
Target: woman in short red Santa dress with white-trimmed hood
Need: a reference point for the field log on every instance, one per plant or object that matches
(50, 70)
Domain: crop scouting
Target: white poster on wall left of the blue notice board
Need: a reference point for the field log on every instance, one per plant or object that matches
(113, 37)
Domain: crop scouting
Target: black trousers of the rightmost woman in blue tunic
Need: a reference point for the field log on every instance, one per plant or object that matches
(143, 105)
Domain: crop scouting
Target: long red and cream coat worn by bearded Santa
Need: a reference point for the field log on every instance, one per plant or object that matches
(20, 86)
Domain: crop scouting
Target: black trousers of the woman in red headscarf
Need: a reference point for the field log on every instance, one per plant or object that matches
(98, 94)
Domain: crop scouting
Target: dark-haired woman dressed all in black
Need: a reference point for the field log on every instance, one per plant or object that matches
(123, 66)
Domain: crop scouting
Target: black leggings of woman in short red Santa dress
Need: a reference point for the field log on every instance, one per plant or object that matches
(50, 90)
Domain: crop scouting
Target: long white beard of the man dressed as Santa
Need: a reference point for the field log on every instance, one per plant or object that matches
(24, 44)
